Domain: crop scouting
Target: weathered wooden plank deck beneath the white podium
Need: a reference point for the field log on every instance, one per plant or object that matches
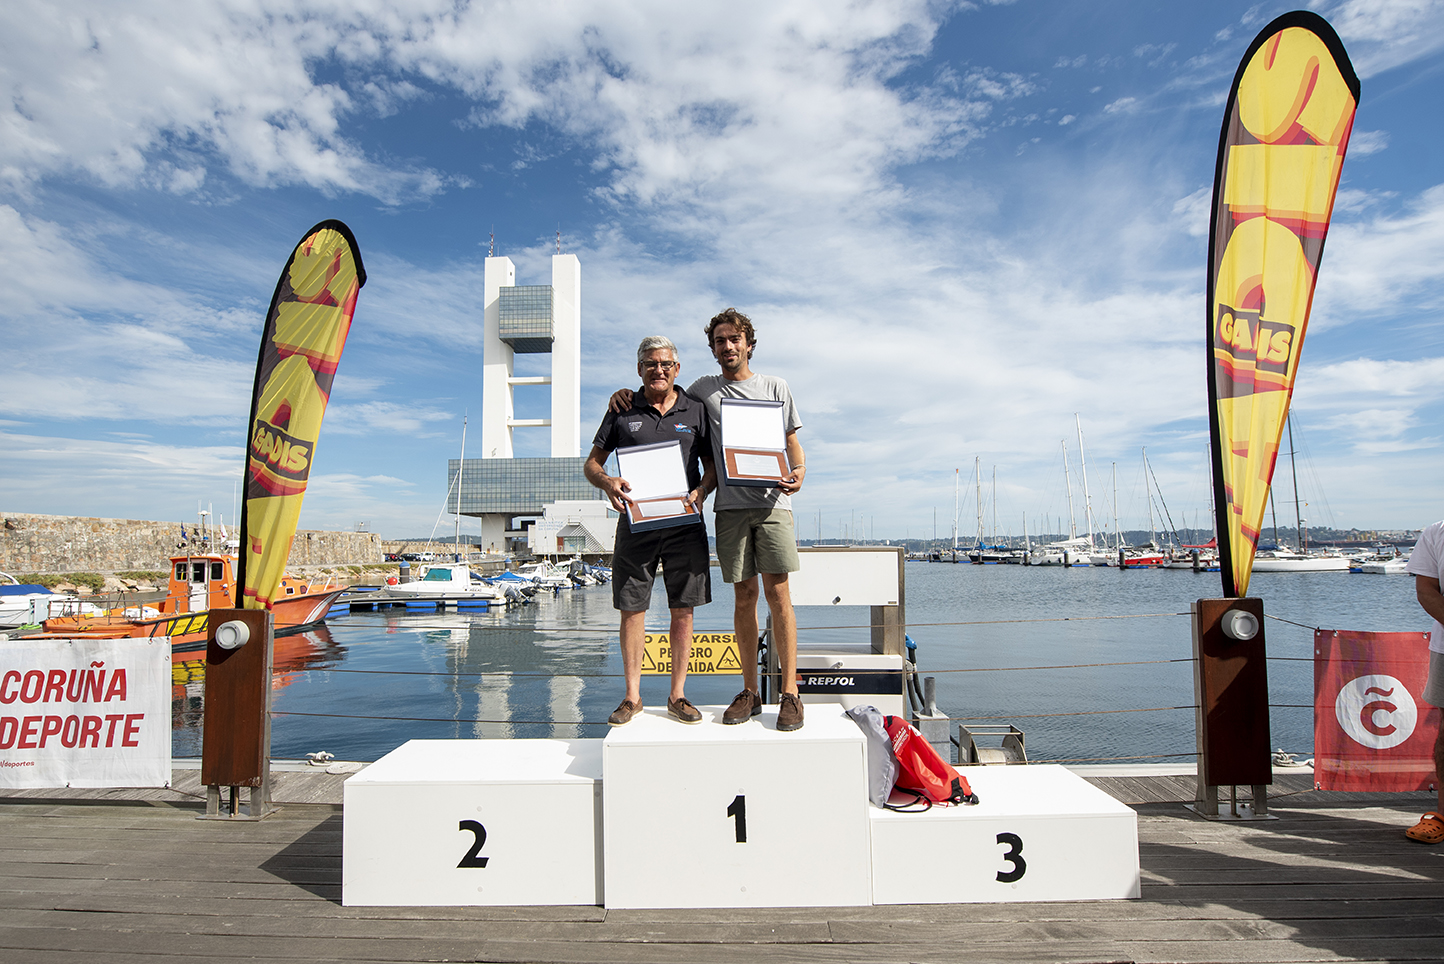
(113, 881)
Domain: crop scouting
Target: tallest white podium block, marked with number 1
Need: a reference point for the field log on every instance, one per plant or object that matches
(714, 816)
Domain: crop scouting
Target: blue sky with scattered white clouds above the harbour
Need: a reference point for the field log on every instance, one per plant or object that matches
(955, 226)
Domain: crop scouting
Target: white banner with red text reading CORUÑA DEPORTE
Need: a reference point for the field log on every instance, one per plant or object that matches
(86, 714)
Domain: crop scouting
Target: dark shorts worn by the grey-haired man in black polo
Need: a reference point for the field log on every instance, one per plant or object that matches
(685, 566)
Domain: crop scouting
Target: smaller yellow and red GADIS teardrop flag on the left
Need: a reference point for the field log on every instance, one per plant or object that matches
(305, 331)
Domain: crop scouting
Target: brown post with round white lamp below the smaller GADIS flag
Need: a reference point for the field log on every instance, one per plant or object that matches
(236, 741)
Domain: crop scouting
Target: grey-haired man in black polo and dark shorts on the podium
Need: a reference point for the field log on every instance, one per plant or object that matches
(661, 412)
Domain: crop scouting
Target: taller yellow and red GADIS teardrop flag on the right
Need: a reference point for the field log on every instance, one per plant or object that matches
(1282, 151)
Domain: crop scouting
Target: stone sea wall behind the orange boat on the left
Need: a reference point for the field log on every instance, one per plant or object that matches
(77, 545)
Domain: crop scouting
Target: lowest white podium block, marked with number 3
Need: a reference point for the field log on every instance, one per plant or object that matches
(1039, 833)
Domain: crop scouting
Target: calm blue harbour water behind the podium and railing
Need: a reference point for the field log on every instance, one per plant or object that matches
(1094, 665)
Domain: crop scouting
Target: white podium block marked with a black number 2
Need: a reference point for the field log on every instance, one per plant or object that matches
(476, 823)
